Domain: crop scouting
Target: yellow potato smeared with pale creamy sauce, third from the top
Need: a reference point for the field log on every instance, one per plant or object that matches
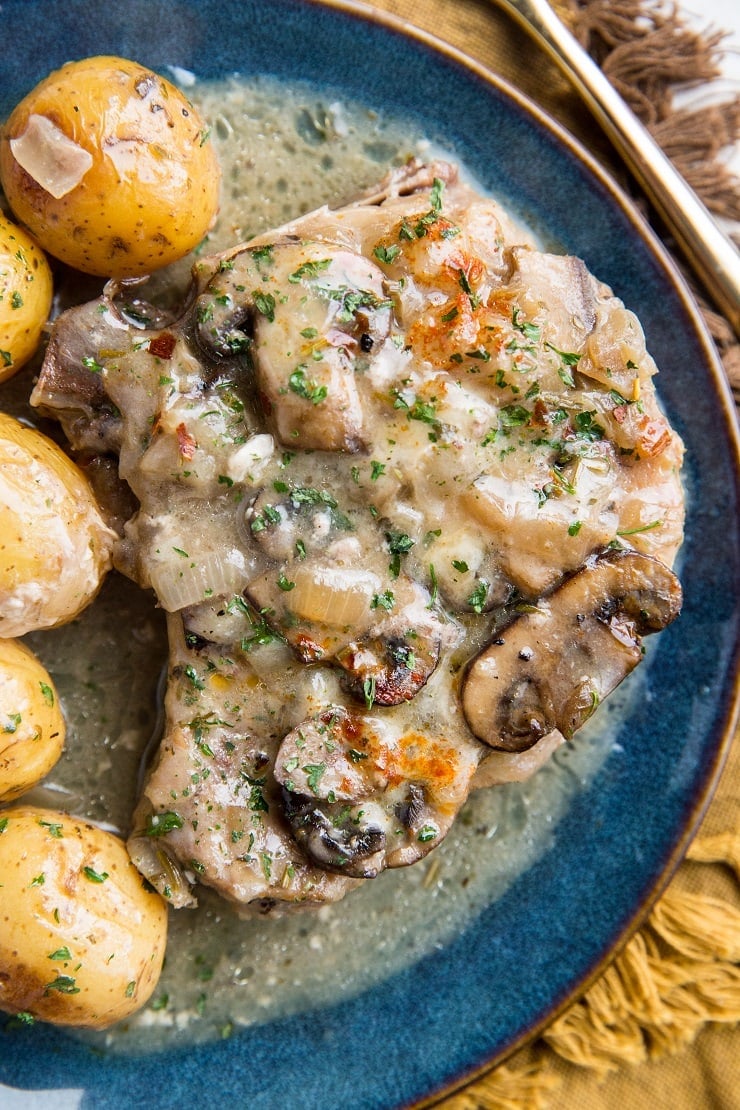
(55, 546)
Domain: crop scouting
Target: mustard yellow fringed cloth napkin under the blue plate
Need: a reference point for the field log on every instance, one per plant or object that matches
(662, 1027)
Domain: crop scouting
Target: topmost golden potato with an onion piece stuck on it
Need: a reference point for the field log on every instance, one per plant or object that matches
(110, 168)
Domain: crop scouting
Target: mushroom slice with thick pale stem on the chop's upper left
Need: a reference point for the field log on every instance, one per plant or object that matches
(310, 315)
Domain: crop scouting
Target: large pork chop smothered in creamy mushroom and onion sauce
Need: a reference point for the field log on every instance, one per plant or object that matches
(370, 443)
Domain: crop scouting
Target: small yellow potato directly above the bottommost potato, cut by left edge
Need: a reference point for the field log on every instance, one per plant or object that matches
(32, 723)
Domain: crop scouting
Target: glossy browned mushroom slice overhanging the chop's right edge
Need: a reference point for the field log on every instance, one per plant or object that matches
(552, 668)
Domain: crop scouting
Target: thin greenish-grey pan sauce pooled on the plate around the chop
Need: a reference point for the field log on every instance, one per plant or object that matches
(283, 153)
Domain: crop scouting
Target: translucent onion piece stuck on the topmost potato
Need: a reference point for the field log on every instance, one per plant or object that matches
(54, 160)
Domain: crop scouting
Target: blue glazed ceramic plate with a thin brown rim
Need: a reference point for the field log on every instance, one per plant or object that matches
(509, 971)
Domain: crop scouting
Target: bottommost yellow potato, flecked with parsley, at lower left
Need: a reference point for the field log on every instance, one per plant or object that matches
(83, 936)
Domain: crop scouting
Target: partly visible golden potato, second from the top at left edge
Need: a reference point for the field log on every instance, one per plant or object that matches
(26, 289)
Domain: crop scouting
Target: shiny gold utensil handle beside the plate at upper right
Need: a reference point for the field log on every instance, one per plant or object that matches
(707, 250)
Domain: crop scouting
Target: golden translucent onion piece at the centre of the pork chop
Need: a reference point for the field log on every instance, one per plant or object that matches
(339, 597)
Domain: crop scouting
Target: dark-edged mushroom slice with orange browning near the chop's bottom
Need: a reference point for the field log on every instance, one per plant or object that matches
(361, 798)
